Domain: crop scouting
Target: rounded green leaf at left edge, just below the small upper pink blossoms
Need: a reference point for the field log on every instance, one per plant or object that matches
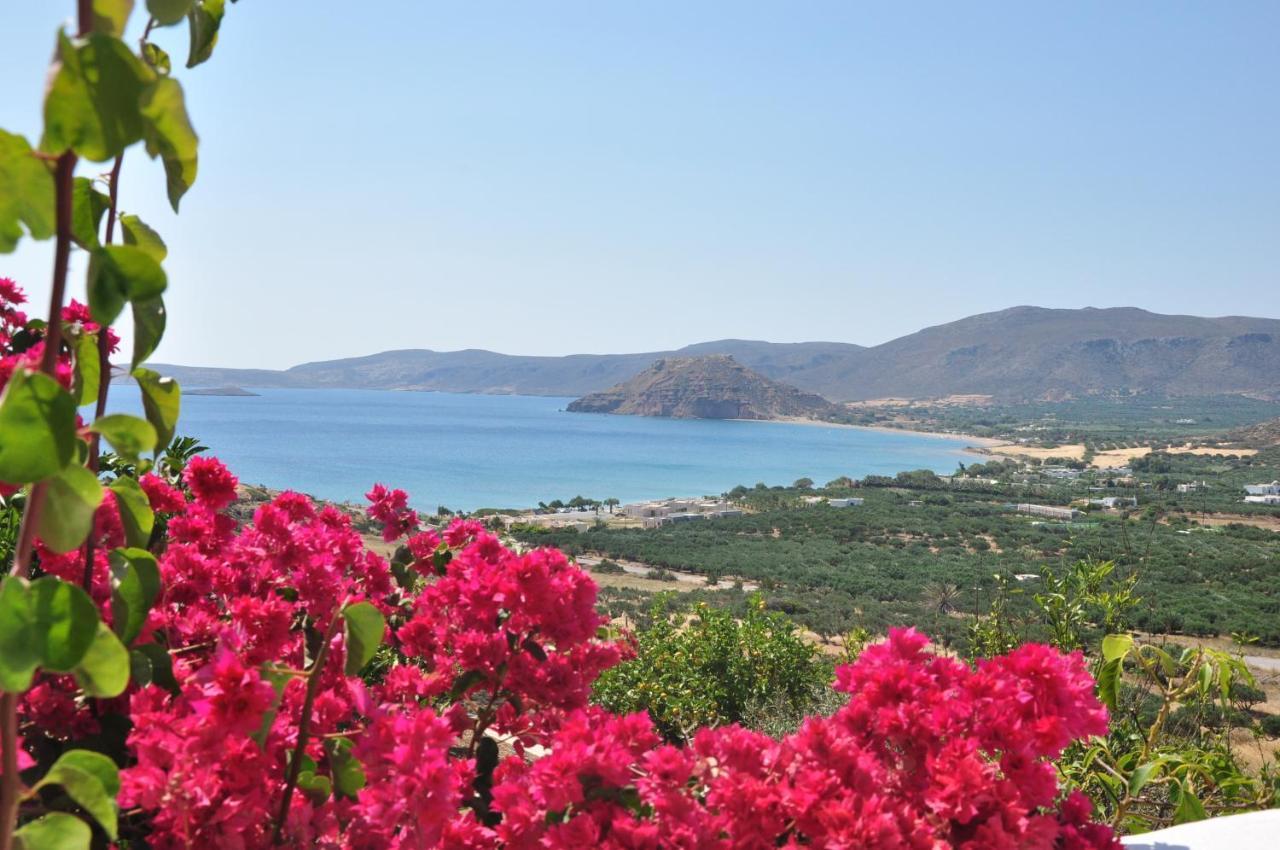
(38, 428)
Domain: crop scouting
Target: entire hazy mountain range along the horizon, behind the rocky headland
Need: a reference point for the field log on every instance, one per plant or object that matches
(1017, 354)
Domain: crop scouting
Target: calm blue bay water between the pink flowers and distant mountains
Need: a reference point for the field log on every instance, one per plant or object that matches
(515, 451)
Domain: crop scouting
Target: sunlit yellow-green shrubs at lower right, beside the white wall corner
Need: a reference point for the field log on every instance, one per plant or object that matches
(1169, 756)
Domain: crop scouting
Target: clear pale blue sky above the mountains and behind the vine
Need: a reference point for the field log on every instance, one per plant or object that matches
(588, 177)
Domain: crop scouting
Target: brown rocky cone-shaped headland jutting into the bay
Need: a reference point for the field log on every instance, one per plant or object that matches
(712, 387)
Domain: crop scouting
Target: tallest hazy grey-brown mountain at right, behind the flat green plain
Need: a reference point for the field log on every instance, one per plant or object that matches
(1039, 354)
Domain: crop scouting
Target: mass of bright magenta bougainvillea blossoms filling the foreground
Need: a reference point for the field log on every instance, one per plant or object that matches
(473, 728)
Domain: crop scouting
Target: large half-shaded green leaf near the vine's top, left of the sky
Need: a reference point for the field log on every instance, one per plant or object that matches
(93, 103)
